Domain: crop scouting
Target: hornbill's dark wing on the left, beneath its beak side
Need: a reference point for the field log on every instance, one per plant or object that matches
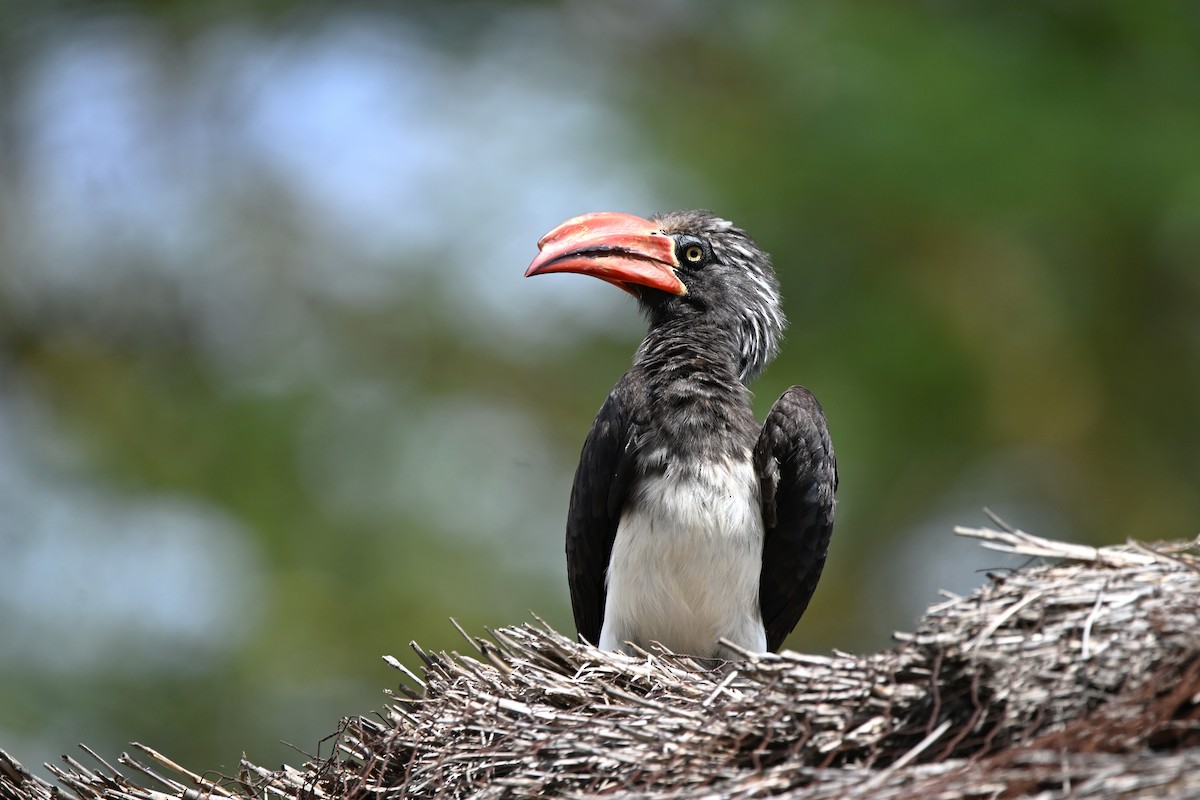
(602, 486)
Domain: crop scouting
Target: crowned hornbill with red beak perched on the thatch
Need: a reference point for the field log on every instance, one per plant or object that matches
(689, 524)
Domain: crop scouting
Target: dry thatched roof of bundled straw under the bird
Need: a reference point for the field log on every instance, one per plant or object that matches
(1079, 678)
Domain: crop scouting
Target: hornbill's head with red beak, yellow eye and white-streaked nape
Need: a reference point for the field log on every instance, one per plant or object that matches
(685, 268)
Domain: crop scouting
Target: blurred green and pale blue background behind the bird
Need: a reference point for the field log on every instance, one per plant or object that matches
(275, 399)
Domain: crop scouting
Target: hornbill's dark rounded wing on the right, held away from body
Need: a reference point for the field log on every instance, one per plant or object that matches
(799, 476)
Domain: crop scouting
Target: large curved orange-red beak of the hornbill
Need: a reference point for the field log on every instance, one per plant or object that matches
(621, 249)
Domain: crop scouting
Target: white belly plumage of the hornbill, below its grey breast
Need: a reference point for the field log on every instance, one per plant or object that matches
(686, 564)
